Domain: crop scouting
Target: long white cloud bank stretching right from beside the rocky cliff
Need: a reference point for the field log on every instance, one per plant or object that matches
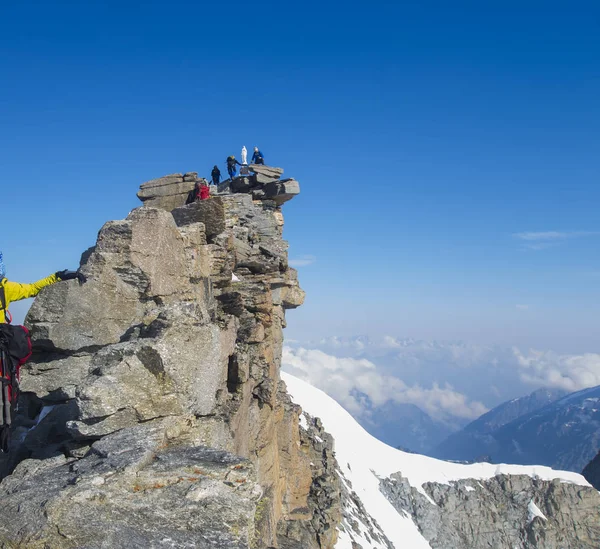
(347, 380)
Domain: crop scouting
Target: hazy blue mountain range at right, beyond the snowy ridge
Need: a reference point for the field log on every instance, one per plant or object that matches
(546, 428)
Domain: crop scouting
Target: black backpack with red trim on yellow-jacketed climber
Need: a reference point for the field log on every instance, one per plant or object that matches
(15, 349)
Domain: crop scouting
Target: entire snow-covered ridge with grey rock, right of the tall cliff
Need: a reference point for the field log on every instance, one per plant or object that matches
(395, 500)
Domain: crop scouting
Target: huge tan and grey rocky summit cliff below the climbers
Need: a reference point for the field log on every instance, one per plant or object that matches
(152, 413)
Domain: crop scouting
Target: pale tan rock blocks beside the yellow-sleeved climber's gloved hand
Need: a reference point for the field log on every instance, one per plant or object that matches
(134, 263)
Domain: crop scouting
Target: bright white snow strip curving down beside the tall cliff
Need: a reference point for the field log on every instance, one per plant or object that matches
(364, 460)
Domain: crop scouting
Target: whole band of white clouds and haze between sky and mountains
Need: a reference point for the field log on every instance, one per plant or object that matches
(445, 379)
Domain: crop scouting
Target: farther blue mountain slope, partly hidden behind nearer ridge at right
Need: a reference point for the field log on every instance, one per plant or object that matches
(476, 439)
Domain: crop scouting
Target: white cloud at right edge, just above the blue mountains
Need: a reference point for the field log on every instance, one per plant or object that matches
(568, 372)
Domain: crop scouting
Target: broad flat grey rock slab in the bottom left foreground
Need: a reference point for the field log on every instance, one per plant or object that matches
(139, 487)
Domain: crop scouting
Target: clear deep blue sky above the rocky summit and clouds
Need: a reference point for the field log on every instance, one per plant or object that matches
(425, 136)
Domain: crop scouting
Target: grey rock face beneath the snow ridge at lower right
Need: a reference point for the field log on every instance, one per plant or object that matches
(504, 511)
